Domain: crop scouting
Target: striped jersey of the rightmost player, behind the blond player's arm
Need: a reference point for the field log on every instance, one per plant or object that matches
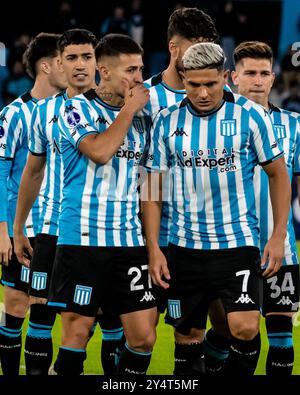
(287, 127)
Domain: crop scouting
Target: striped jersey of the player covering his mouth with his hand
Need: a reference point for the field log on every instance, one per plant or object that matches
(100, 203)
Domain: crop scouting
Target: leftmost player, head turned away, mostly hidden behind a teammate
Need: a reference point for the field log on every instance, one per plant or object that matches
(41, 60)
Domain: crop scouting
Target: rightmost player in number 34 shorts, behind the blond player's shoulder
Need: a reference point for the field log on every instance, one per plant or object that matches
(254, 78)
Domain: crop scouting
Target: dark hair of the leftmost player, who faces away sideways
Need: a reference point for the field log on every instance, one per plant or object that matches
(44, 45)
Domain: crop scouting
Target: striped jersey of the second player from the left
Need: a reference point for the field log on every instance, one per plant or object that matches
(44, 140)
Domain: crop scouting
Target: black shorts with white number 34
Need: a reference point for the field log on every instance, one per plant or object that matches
(281, 291)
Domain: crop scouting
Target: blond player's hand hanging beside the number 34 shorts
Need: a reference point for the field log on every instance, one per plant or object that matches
(273, 254)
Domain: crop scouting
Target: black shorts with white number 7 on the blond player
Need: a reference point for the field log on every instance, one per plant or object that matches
(200, 276)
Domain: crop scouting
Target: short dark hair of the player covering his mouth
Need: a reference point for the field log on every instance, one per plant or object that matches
(117, 44)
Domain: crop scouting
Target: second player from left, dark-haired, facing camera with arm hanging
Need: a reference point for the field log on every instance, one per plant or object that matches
(76, 48)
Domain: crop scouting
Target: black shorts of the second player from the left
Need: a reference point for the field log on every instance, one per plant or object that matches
(41, 265)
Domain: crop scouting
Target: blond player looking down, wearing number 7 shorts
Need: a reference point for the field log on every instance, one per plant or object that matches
(212, 145)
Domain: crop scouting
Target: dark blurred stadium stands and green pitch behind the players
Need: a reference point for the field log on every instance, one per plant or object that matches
(276, 22)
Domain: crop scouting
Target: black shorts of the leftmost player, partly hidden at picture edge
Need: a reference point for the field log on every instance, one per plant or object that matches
(16, 275)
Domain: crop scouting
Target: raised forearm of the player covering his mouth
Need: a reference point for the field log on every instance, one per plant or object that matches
(108, 142)
